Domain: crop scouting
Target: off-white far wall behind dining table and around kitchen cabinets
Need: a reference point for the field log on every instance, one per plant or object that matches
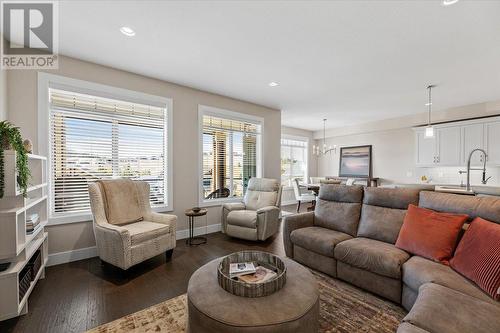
(393, 144)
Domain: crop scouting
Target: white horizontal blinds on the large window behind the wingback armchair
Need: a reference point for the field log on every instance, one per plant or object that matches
(100, 138)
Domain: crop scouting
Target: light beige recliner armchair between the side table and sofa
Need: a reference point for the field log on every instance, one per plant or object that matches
(257, 217)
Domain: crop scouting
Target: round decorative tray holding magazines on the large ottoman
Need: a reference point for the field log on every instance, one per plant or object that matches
(240, 288)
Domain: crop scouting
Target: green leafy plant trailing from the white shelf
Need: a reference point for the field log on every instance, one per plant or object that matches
(10, 138)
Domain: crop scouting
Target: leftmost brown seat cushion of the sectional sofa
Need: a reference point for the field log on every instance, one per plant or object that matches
(317, 239)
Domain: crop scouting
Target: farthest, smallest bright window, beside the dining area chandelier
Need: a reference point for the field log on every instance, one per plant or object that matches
(293, 159)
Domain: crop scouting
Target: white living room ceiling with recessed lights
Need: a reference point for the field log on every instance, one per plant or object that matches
(348, 61)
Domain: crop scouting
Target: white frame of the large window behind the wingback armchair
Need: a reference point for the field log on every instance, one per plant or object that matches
(47, 81)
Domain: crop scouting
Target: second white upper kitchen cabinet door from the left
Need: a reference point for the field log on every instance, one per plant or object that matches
(448, 146)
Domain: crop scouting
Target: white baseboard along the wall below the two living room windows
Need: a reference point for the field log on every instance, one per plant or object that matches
(89, 252)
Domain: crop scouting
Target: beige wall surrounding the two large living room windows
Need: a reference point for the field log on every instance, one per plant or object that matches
(22, 104)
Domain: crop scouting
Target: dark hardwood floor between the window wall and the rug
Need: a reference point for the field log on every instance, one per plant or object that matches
(77, 296)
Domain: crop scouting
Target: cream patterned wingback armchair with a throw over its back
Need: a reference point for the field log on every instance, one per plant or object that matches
(127, 231)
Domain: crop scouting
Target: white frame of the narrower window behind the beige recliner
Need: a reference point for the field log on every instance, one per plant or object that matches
(204, 110)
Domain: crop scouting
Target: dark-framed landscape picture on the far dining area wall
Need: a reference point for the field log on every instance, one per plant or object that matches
(356, 162)
